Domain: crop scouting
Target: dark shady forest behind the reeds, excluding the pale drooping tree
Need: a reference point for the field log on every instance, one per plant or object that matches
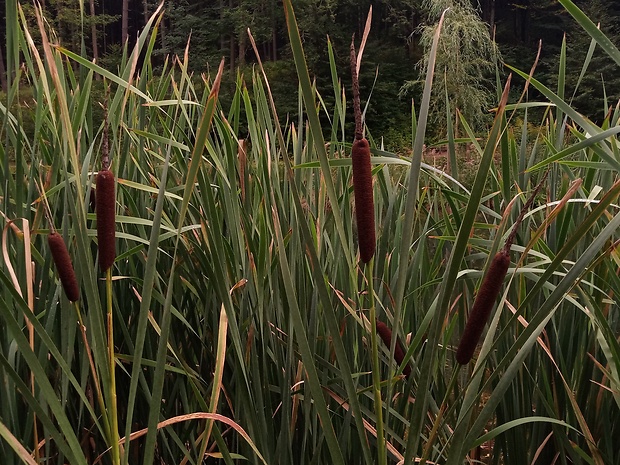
(218, 28)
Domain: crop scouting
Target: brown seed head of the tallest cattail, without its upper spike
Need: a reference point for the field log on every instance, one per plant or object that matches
(364, 203)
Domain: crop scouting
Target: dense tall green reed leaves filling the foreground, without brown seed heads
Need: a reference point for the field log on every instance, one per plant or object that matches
(241, 318)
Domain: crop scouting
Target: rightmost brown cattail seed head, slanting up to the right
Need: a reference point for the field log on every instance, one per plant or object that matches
(483, 305)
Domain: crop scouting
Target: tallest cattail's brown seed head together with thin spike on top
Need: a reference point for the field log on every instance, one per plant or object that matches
(362, 176)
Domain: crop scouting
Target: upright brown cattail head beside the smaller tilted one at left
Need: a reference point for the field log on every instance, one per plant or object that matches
(106, 227)
